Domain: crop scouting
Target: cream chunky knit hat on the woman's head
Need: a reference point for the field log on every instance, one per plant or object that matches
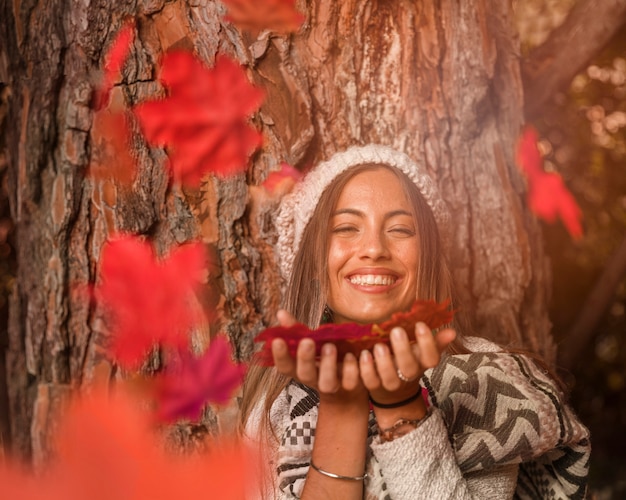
(297, 207)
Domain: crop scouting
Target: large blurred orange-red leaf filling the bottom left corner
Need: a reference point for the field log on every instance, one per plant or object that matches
(107, 449)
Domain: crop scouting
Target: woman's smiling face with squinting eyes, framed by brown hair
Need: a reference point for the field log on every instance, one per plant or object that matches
(373, 249)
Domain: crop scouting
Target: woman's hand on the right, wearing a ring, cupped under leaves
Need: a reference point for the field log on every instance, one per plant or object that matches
(380, 371)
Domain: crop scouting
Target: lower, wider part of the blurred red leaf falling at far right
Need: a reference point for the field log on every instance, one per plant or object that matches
(549, 198)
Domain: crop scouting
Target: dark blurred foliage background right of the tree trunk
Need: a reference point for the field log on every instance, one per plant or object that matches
(583, 130)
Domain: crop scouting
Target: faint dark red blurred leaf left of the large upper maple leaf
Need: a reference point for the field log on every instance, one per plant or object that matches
(110, 147)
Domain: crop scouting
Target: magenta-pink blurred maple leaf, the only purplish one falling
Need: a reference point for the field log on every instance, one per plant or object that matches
(183, 391)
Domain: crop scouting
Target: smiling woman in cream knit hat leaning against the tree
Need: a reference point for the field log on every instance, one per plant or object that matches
(359, 241)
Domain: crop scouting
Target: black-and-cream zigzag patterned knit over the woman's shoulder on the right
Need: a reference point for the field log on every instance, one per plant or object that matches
(500, 409)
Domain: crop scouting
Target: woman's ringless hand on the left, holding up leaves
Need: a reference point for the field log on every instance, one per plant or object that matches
(332, 379)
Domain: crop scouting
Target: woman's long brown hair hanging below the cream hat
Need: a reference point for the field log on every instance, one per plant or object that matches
(309, 282)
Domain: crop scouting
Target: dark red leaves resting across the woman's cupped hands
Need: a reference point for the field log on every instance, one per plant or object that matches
(351, 337)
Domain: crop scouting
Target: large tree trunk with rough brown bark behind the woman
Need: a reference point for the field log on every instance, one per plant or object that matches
(439, 80)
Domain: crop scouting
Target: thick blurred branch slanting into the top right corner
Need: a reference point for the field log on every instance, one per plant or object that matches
(550, 67)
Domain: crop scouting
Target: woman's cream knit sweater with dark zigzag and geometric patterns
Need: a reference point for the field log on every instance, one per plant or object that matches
(498, 428)
